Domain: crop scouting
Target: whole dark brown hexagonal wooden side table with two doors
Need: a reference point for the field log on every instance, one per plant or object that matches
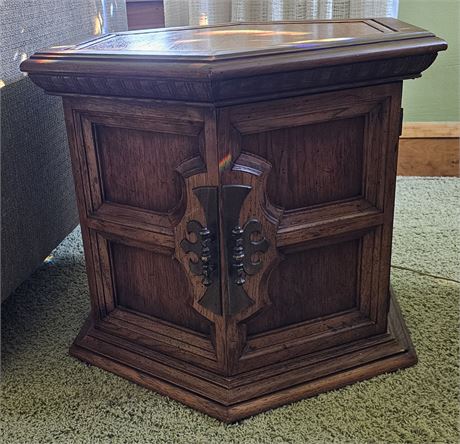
(236, 186)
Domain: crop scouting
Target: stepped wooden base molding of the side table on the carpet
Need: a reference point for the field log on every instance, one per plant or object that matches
(233, 398)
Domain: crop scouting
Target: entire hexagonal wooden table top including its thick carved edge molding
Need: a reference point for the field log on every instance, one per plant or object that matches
(211, 54)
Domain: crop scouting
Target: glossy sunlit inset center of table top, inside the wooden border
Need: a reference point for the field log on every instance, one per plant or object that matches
(235, 39)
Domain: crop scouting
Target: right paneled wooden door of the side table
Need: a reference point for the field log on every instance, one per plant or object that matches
(318, 171)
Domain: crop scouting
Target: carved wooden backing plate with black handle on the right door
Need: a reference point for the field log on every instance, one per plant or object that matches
(250, 225)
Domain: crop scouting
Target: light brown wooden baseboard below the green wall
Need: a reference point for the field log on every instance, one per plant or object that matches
(429, 149)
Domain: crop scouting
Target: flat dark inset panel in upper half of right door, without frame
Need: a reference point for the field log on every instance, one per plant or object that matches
(312, 164)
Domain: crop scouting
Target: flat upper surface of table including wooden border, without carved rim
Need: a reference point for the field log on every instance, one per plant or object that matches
(236, 40)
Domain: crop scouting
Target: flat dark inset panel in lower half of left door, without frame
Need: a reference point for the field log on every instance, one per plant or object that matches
(154, 284)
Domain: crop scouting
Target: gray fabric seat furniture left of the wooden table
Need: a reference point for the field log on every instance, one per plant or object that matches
(37, 196)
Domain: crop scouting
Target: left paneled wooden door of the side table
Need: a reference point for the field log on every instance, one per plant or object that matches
(139, 171)
